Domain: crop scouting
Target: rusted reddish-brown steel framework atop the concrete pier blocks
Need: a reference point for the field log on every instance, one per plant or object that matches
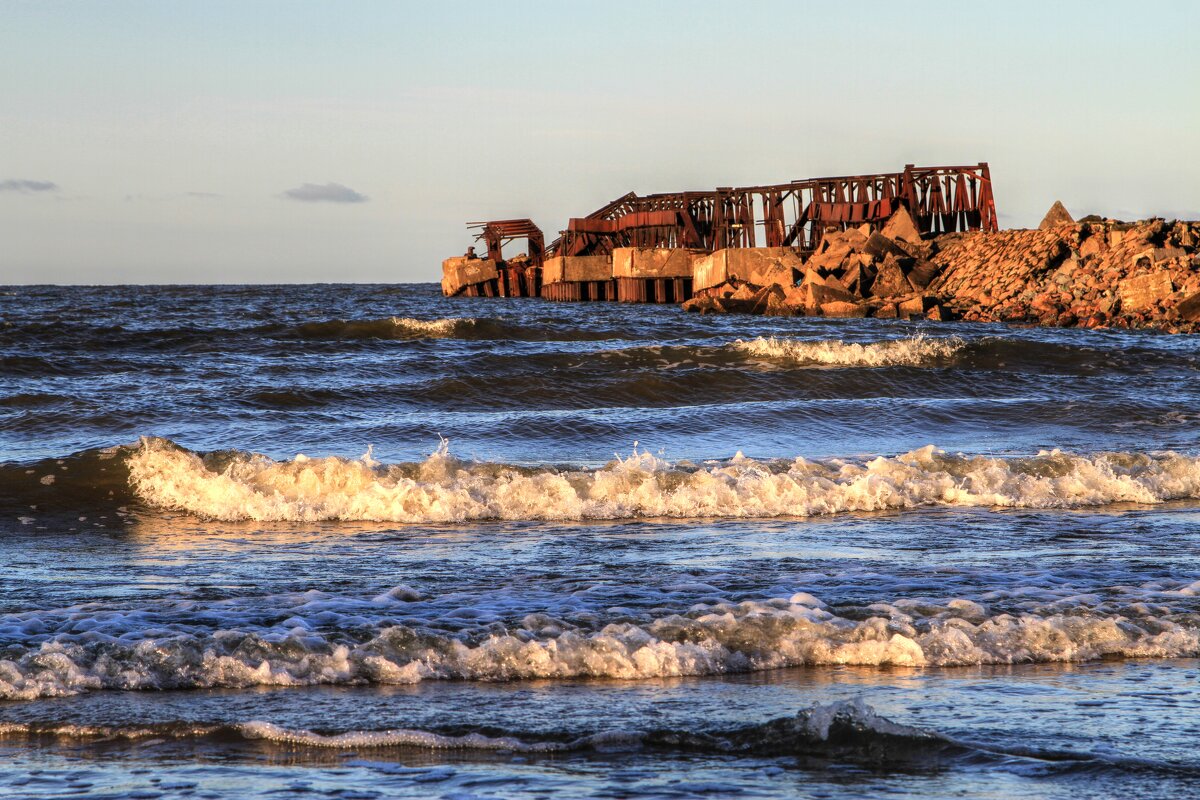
(797, 214)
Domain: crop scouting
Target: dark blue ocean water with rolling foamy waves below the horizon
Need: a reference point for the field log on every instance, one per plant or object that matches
(364, 542)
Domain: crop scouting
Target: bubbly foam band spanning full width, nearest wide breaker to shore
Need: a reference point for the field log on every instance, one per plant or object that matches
(99, 649)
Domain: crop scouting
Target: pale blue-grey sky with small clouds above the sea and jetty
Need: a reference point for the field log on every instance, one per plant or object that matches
(281, 142)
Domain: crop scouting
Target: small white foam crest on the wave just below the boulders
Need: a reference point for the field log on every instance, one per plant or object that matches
(913, 352)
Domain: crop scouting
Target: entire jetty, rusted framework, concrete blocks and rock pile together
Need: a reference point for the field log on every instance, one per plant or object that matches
(921, 243)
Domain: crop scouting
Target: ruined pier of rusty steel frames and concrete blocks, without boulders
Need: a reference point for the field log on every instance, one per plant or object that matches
(667, 248)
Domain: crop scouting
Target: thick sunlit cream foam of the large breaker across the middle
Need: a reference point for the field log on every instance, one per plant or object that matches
(447, 490)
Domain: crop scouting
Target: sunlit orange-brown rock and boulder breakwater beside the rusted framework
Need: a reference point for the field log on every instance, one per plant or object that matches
(1095, 273)
